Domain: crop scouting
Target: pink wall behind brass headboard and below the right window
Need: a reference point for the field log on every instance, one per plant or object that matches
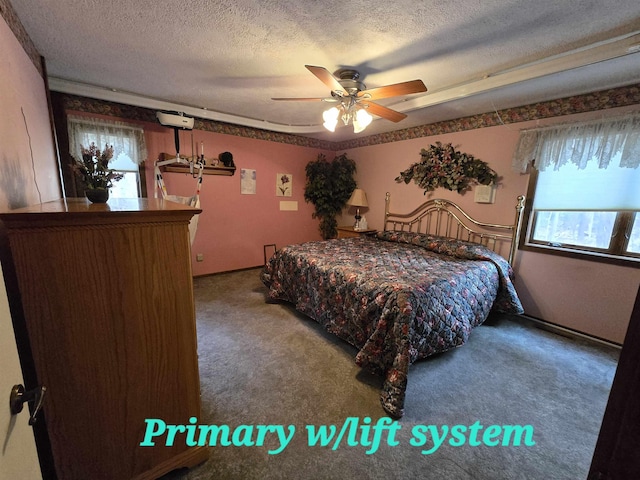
(590, 297)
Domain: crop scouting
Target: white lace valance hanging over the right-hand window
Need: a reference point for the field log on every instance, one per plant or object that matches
(596, 141)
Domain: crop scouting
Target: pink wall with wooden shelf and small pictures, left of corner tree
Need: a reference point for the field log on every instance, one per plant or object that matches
(234, 227)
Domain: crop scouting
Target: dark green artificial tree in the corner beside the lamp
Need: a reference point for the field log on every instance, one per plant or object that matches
(329, 186)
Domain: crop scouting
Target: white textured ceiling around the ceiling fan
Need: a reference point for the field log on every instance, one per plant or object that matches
(225, 60)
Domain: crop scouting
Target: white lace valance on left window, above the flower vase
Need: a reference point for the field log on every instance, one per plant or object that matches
(125, 138)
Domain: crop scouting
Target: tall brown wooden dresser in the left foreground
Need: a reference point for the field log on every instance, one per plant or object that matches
(107, 297)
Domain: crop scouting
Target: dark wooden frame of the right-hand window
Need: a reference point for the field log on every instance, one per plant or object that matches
(613, 255)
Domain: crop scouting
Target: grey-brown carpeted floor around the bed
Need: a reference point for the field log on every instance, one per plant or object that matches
(266, 364)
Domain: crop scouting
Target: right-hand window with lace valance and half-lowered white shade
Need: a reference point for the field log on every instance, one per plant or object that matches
(585, 188)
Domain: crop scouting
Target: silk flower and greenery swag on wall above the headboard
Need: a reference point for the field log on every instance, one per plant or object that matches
(445, 167)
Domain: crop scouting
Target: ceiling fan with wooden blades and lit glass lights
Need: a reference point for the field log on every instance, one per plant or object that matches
(355, 100)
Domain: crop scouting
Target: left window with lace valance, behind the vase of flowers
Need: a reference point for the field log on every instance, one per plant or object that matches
(129, 150)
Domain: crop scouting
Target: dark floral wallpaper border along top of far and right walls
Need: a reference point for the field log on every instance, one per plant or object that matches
(602, 100)
